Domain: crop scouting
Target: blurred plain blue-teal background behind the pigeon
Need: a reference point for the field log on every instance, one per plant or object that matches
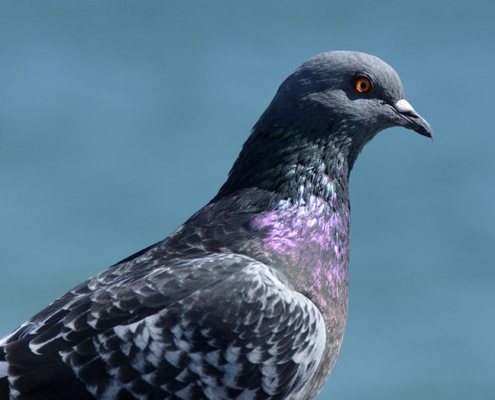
(119, 119)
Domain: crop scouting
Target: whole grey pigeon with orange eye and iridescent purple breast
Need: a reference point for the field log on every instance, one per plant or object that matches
(248, 298)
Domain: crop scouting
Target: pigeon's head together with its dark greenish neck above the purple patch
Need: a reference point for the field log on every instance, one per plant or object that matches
(320, 119)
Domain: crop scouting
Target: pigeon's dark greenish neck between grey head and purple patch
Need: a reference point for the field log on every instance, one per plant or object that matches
(294, 170)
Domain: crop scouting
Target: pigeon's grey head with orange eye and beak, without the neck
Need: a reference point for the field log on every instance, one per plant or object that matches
(348, 93)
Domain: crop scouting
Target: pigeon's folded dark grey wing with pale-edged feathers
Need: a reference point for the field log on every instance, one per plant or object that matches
(218, 327)
